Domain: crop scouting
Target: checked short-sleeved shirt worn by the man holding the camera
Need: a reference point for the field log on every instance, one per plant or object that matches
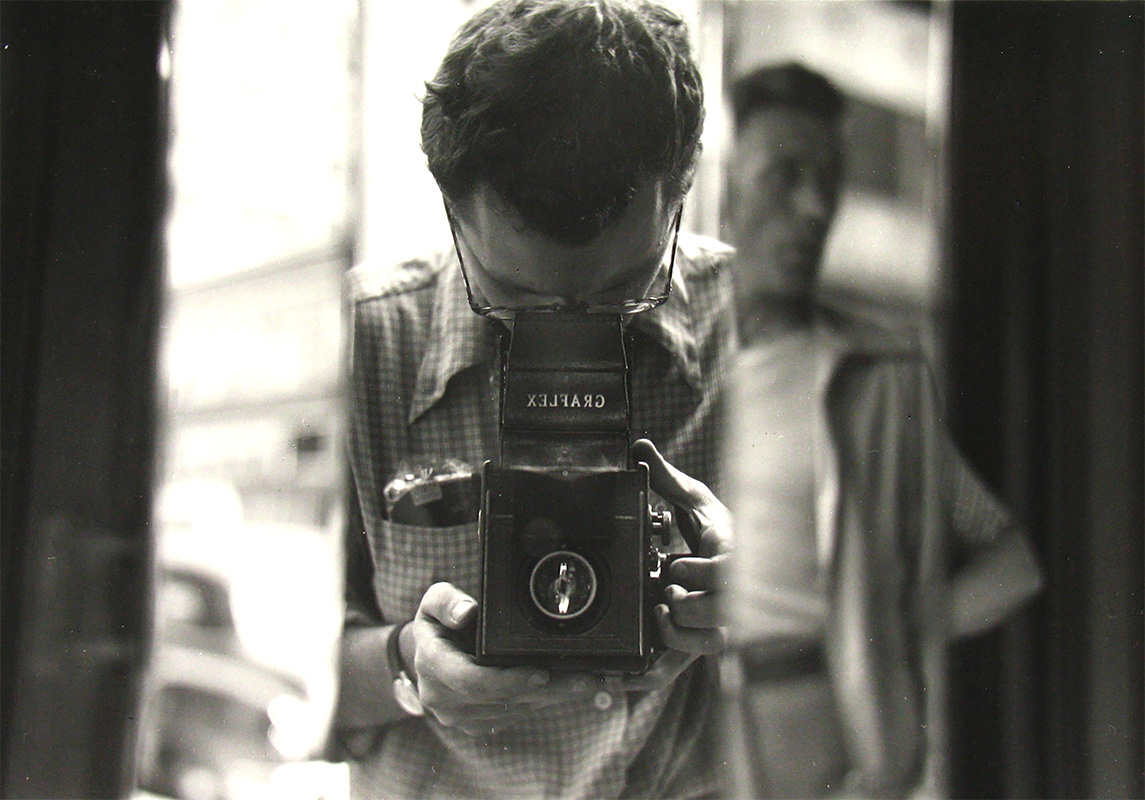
(425, 384)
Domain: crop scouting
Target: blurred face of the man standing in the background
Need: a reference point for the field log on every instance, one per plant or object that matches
(784, 189)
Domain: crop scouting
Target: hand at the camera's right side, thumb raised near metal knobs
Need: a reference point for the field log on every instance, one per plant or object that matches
(691, 621)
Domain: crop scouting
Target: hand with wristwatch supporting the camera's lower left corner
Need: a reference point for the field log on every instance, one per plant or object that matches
(460, 693)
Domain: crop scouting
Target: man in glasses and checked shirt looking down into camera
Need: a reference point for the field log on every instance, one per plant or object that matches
(564, 136)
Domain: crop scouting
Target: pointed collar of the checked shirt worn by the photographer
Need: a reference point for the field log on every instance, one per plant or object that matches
(461, 339)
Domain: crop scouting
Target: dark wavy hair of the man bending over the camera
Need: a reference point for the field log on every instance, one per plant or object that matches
(566, 109)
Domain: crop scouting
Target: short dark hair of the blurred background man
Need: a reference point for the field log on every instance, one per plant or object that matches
(789, 85)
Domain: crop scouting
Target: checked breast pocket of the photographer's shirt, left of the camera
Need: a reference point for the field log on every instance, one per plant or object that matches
(410, 559)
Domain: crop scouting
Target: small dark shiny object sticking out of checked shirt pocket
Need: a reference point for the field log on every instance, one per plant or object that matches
(433, 493)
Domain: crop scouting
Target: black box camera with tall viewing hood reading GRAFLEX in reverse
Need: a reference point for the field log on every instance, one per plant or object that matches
(571, 566)
